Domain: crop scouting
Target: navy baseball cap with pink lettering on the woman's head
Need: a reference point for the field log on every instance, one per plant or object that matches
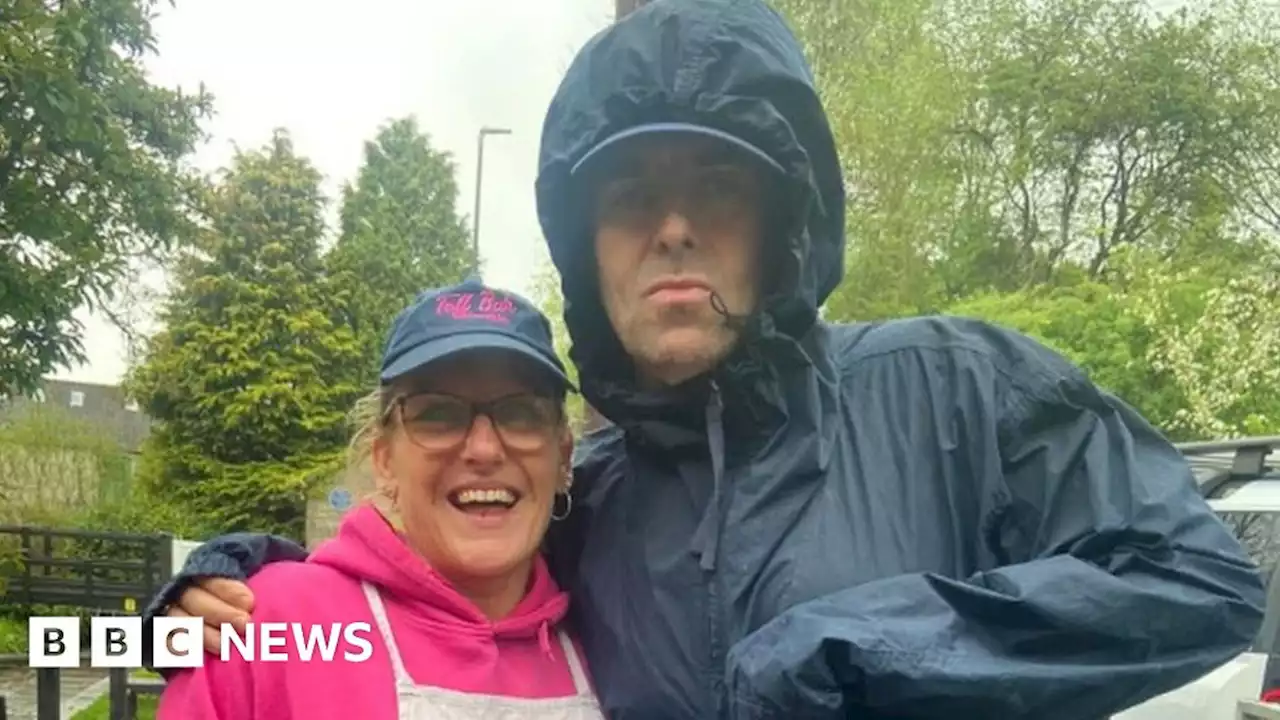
(469, 317)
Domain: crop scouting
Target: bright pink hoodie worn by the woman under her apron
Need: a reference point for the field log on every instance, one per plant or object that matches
(444, 639)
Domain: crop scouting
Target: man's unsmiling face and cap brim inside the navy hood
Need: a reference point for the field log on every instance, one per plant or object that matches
(678, 218)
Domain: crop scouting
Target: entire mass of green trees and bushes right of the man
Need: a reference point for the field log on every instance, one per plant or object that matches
(1095, 174)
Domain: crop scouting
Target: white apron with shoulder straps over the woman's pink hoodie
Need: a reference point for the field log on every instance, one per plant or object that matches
(424, 703)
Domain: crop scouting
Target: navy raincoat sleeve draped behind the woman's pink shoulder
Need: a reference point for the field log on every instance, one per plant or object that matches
(236, 557)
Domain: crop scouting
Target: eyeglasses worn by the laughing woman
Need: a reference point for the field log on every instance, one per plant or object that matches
(440, 422)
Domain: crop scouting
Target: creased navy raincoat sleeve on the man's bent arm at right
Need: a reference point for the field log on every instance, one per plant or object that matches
(1116, 584)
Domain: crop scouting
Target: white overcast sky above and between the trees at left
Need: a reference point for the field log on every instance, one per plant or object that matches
(333, 72)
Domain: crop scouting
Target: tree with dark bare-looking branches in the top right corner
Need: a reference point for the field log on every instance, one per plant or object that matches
(1110, 126)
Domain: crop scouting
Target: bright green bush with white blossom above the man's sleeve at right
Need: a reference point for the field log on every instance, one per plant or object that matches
(1192, 349)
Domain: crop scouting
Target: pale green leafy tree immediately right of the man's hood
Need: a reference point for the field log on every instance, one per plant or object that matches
(892, 101)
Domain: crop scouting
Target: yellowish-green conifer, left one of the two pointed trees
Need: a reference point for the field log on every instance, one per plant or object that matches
(246, 381)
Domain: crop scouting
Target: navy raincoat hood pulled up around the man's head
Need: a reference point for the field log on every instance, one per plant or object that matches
(730, 66)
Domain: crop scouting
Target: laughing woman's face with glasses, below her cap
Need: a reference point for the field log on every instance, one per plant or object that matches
(474, 498)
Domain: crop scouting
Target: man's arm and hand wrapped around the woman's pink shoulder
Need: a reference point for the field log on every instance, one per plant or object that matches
(232, 558)
